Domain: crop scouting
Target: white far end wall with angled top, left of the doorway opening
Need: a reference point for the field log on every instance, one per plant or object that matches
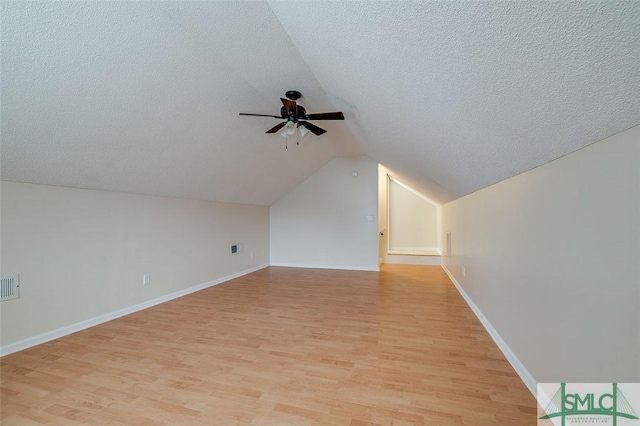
(323, 222)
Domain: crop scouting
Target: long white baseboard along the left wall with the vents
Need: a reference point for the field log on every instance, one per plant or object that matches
(63, 331)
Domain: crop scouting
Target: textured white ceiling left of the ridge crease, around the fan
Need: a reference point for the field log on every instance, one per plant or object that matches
(144, 97)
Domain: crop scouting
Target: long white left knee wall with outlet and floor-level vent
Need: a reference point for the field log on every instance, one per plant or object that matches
(82, 253)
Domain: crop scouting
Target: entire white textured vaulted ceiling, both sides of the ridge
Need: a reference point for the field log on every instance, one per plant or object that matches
(144, 97)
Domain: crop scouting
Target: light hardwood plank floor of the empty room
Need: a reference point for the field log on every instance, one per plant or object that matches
(277, 347)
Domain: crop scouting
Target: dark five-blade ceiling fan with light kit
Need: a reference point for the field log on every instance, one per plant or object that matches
(296, 117)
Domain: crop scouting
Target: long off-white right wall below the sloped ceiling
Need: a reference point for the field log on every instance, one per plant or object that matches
(552, 261)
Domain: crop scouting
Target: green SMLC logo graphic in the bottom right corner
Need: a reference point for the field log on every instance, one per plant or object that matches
(593, 406)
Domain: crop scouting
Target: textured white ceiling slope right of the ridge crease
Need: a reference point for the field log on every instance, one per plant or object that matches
(456, 96)
